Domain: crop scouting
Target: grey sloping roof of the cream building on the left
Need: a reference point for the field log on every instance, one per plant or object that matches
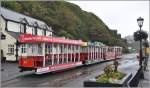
(18, 17)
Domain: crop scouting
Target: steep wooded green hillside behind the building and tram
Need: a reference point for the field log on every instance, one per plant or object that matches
(67, 20)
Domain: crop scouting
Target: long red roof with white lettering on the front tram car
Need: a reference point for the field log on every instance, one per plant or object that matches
(28, 38)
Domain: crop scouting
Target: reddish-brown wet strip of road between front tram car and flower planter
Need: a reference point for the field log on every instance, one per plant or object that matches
(86, 71)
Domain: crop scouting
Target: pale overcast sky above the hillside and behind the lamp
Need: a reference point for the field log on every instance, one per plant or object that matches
(120, 15)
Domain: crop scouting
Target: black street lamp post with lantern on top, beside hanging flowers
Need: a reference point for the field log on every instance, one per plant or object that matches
(140, 23)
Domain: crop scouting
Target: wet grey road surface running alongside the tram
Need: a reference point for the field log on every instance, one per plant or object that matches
(69, 78)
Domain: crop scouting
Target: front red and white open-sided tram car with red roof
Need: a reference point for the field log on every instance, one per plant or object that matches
(45, 54)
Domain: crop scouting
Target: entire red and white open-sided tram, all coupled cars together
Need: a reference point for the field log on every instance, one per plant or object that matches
(47, 54)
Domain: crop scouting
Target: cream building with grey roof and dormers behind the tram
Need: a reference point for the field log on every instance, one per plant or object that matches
(12, 24)
